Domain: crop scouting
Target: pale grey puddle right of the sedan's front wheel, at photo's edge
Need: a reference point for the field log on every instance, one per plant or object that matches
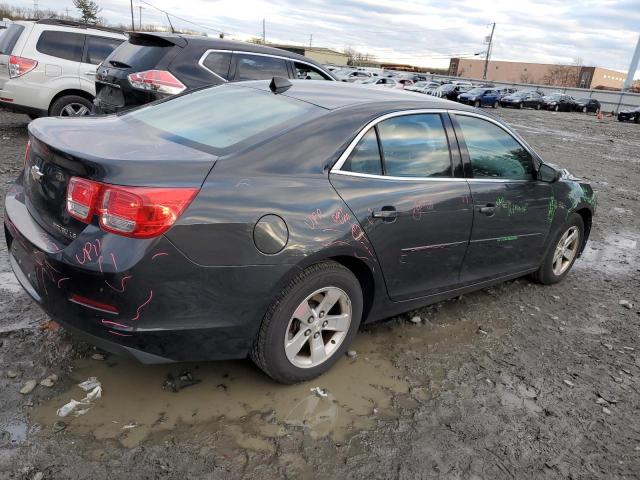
(618, 253)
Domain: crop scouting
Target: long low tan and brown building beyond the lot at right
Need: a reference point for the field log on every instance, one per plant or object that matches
(538, 73)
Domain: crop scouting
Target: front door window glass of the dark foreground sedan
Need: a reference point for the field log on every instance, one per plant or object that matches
(493, 152)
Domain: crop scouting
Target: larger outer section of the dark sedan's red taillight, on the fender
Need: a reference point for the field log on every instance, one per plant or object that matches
(142, 212)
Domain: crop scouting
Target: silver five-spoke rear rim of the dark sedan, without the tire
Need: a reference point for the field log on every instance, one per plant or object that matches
(318, 327)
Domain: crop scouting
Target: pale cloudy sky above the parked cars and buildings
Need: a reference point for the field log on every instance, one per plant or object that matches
(601, 33)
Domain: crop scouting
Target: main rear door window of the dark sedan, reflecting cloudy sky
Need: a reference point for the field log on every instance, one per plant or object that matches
(415, 146)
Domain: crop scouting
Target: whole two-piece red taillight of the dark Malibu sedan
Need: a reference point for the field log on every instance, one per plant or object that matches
(139, 212)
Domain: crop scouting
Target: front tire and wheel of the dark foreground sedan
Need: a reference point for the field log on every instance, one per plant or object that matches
(562, 253)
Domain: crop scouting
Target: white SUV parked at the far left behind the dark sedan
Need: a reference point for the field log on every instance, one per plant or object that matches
(48, 67)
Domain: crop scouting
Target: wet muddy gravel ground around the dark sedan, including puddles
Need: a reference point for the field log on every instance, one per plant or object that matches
(517, 381)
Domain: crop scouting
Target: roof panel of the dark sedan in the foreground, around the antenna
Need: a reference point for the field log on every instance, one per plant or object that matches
(334, 95)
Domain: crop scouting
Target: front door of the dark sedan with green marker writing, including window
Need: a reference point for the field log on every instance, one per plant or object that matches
(511, 206)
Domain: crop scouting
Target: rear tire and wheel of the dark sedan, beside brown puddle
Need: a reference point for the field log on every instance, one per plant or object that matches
(310, 324)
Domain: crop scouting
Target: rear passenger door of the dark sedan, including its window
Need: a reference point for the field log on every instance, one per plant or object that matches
(401, 181)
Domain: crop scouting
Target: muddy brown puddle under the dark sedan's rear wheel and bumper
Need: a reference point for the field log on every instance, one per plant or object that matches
(237, 391)
